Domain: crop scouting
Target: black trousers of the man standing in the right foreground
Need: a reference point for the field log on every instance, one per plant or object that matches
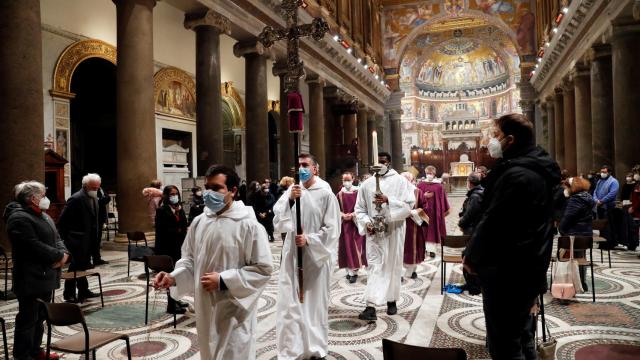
(510, 325)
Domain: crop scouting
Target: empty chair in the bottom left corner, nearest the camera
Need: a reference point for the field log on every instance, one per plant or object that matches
(84, 342)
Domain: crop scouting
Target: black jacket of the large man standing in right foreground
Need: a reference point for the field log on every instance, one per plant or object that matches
(513, 239)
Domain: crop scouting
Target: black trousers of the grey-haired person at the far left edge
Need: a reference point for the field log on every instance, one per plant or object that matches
(29, 326)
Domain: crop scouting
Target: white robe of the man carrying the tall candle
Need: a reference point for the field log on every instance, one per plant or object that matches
(385, 251)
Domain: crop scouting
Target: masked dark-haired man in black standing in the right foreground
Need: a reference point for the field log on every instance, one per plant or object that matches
(516, 220)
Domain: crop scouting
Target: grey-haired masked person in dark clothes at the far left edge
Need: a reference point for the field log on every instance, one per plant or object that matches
(38, 253)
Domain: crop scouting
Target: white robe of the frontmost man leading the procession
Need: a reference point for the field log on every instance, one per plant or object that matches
(235, 245)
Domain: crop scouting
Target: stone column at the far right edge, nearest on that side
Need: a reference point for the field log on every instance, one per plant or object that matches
(625, 58)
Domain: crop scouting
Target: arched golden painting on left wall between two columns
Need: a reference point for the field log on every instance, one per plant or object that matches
(175, 93)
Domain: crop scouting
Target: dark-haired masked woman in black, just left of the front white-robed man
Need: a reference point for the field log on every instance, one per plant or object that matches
(171, 229)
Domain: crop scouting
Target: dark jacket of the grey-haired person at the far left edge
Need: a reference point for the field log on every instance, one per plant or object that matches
(36, 246)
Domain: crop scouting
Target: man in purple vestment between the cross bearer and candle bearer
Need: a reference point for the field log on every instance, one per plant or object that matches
(351, 247)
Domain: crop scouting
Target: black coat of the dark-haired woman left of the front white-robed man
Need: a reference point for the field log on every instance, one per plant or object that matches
(171, 229)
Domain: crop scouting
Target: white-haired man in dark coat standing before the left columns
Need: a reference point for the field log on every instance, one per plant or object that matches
(78, 226)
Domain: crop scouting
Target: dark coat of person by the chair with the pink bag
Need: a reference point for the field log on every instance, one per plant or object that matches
(578, 216)
